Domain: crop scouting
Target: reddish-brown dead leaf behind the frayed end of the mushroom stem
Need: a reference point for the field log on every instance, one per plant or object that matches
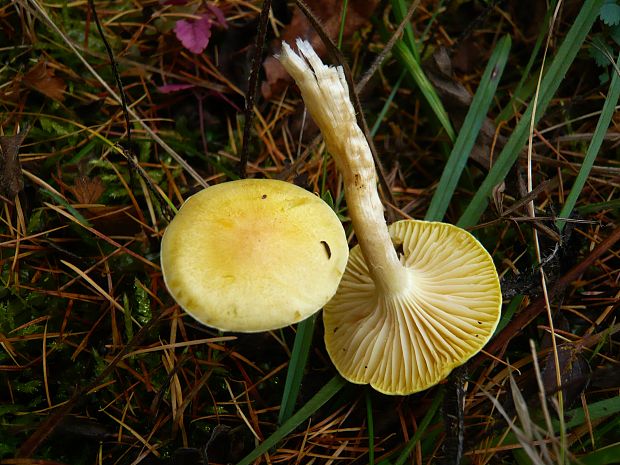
(328, 12)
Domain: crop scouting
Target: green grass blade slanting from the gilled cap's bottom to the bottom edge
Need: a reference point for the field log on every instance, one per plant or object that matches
(332, 387)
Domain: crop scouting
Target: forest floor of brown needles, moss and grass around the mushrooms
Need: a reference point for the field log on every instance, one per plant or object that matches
(497, 116)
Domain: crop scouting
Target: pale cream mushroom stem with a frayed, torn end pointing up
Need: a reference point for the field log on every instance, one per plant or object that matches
(325, 93)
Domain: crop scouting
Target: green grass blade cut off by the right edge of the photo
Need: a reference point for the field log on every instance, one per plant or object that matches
(595, 145)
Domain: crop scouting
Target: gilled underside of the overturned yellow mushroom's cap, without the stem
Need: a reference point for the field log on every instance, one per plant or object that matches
(408, 342)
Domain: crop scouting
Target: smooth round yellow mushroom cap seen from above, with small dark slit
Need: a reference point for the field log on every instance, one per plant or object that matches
(253, 255)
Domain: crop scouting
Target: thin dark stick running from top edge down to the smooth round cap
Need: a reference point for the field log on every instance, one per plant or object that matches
(253, 86)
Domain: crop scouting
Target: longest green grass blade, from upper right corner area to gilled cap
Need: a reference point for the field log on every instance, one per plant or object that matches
(550, 83)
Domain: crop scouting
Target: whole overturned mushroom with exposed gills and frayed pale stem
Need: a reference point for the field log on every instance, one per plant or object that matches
(418, 298)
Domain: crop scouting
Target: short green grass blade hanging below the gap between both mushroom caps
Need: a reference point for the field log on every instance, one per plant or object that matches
(296, 367)
